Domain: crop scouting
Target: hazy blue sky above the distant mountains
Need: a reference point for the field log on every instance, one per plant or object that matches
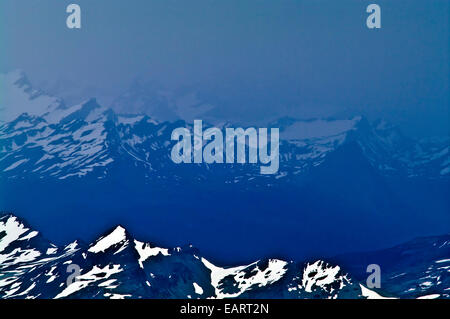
(253, 59)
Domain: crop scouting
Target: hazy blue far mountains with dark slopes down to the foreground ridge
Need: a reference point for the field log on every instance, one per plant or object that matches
(364, 185)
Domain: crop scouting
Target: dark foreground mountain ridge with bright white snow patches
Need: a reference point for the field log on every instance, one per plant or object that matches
(118, 266)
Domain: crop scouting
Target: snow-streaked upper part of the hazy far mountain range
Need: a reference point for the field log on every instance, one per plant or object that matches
(41, 136)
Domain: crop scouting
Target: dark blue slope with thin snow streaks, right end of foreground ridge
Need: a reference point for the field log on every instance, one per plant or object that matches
(418, 267)
